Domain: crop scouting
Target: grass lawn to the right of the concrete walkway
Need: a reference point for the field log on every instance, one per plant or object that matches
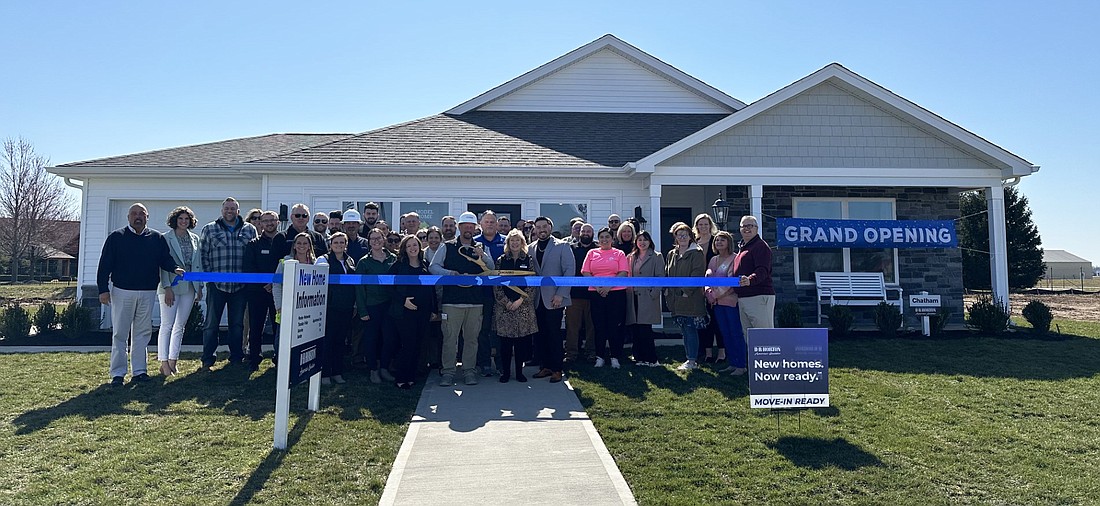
(912, 422)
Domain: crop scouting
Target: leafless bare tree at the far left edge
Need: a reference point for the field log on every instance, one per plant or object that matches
(31, 203)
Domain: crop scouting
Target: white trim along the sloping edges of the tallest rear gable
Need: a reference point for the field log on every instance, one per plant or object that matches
(608, 42)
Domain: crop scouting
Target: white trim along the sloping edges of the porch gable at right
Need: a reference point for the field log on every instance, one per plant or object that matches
(889, 102)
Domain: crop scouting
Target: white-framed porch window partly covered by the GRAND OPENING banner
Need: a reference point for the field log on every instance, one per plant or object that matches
(809, 261)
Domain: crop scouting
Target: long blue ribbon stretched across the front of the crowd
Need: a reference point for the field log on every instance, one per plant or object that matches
(467, 281)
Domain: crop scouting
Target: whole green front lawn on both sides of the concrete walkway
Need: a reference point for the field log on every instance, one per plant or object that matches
(970, 421)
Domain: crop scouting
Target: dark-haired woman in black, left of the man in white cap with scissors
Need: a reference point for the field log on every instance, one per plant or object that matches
(411, 309)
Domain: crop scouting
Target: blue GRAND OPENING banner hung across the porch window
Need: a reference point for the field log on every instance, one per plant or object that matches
(807, 233)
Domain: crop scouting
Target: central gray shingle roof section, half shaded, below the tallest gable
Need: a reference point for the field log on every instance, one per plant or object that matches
(509, 139)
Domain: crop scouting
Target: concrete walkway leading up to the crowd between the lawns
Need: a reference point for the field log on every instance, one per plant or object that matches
(503, 444)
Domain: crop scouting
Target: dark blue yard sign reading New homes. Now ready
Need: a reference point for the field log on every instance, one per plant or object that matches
(788, 368)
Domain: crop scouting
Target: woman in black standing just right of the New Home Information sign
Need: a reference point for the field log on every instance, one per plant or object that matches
(340, 312)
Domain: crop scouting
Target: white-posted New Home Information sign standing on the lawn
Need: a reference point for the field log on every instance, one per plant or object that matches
(305, 295)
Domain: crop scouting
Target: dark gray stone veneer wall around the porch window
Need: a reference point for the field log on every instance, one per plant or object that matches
(938, 271)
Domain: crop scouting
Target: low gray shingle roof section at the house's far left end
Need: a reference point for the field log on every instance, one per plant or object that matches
(216, 155)
